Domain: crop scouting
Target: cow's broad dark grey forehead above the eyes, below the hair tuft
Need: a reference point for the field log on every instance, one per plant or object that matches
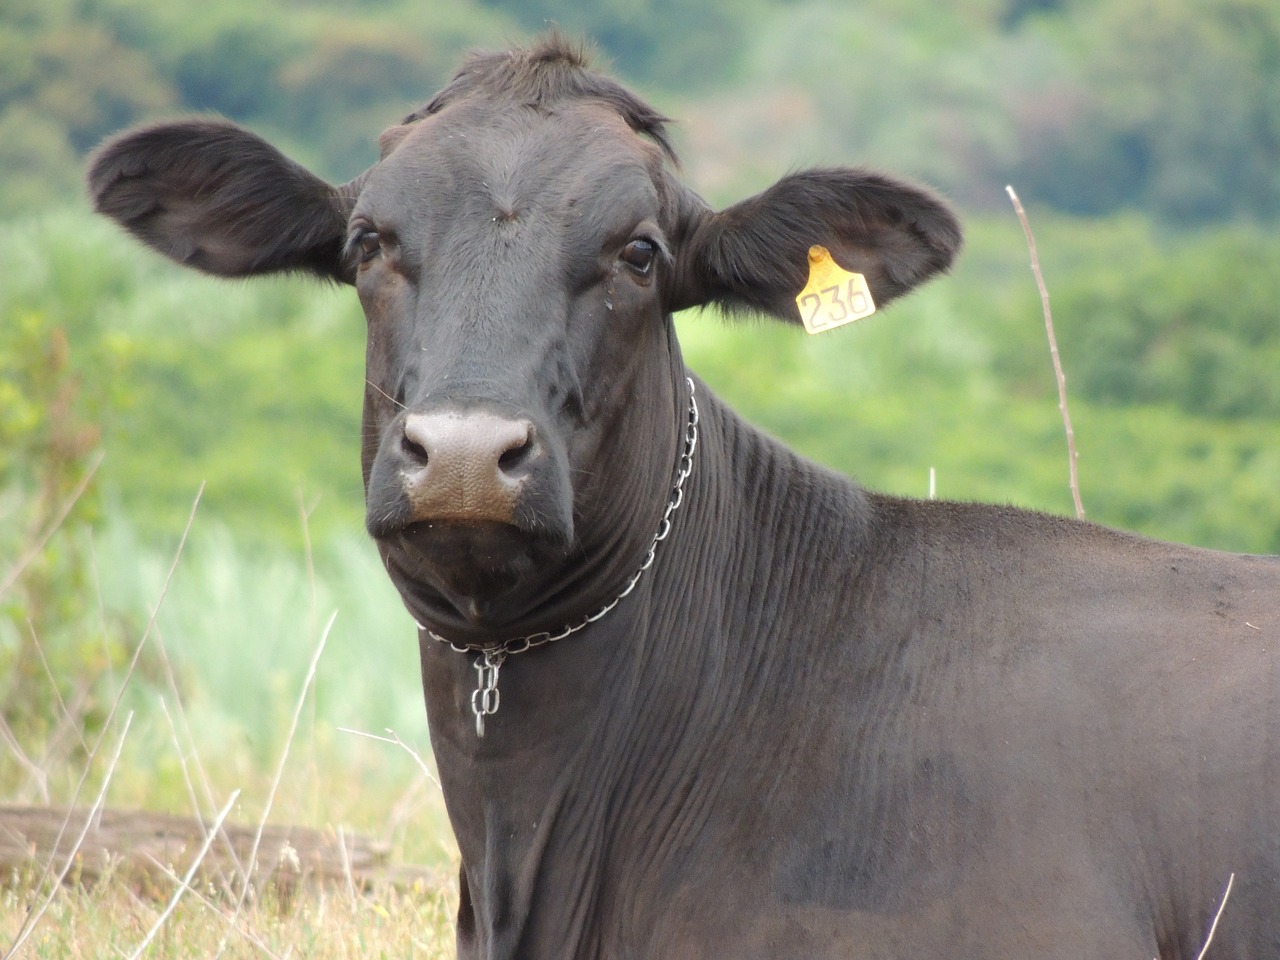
(516, 194)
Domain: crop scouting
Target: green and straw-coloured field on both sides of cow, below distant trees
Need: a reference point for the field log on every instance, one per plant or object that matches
(144, 674)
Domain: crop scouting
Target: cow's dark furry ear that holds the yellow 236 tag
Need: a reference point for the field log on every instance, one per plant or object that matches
(756, 254)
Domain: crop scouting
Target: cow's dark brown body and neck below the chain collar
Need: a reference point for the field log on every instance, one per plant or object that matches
(838, 725)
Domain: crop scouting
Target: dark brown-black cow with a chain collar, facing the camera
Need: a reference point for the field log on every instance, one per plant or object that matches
(692, 696)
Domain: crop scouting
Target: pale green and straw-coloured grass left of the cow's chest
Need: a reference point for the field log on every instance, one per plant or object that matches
(217, 716)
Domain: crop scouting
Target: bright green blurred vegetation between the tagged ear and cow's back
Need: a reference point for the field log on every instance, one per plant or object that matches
(958, 378)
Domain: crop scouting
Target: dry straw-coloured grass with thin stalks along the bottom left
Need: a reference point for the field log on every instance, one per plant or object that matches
(222, 897)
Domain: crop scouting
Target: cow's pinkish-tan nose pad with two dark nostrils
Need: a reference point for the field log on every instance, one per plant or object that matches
(467, 465)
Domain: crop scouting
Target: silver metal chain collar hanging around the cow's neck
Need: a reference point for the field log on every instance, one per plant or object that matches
(486, 698)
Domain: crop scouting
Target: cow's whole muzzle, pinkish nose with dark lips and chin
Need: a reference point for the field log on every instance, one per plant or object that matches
(470, 505)
